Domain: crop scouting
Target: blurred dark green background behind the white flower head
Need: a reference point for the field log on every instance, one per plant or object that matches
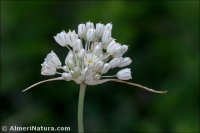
(164, 46)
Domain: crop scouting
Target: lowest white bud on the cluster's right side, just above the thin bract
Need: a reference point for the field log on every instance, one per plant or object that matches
(124, 74)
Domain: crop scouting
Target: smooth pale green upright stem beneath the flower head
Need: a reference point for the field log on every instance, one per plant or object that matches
(80, 108)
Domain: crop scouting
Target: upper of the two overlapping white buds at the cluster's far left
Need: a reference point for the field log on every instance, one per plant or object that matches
(52, 60)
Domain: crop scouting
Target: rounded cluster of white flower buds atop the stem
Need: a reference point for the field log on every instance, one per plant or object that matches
(92, 53)
